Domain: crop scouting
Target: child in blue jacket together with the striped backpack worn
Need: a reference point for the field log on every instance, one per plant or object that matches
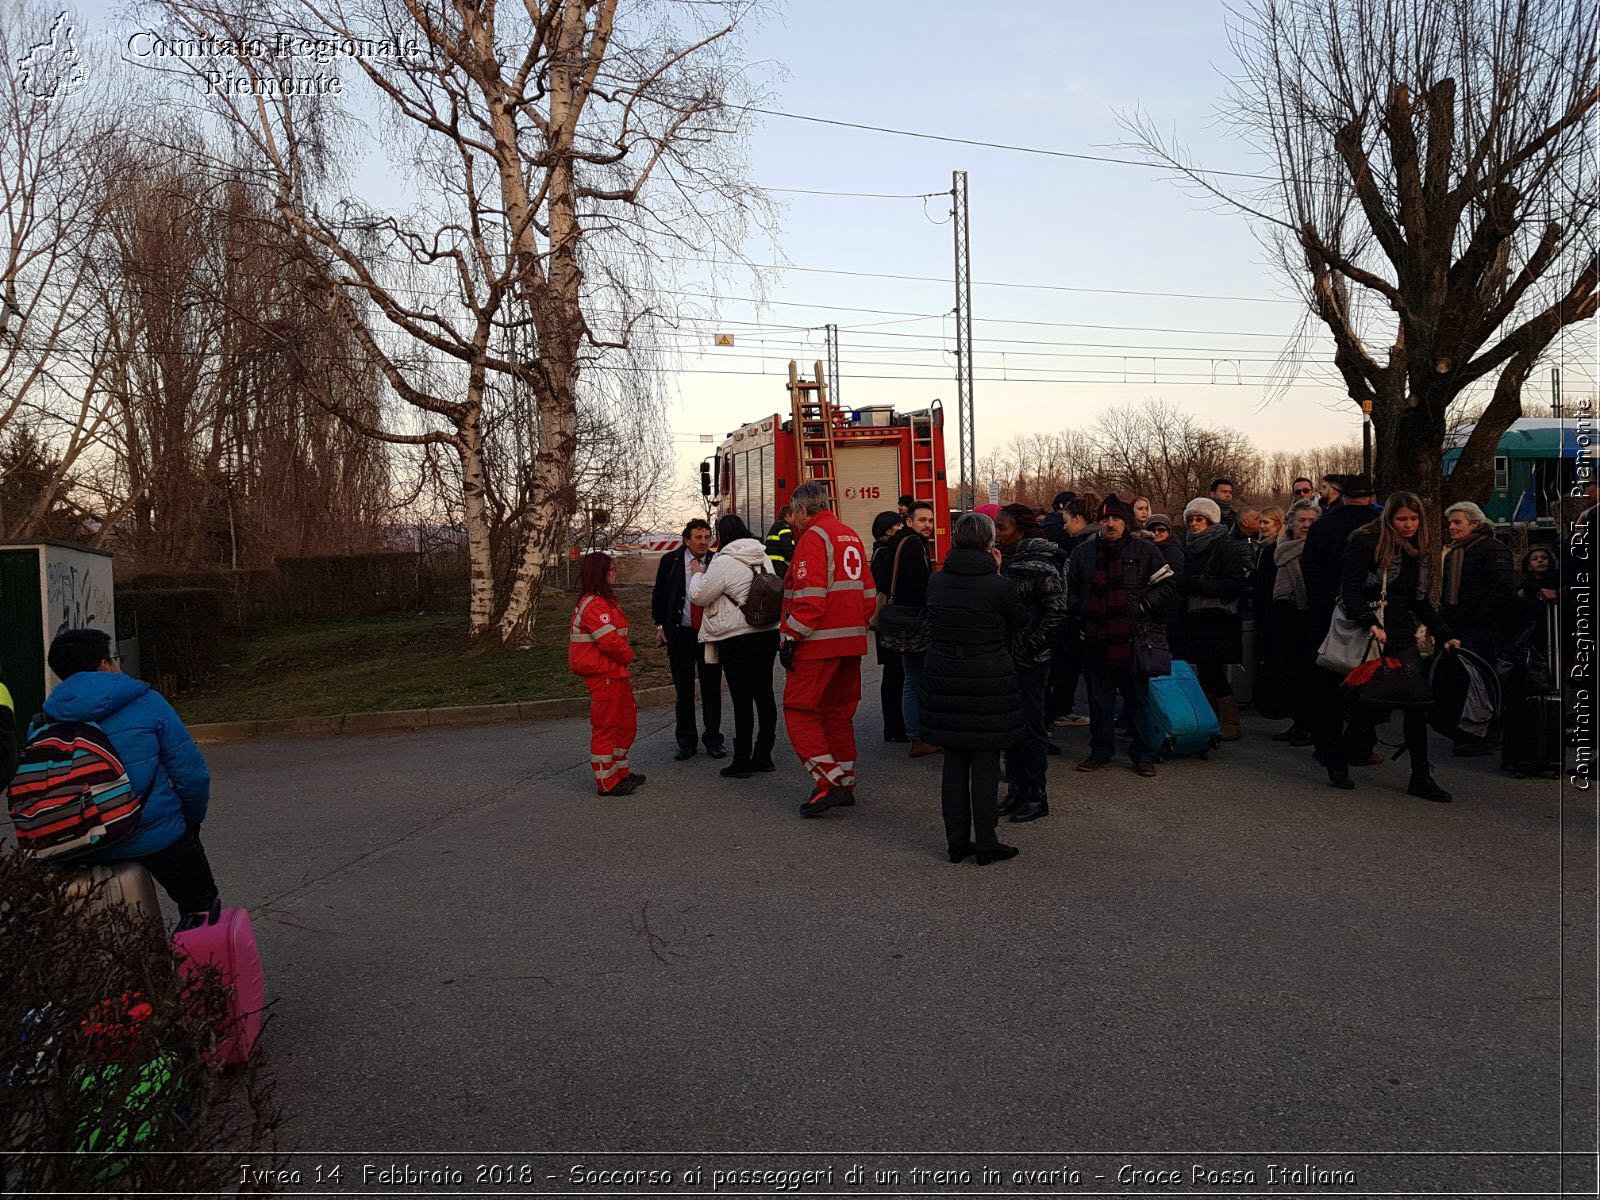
(111, 775)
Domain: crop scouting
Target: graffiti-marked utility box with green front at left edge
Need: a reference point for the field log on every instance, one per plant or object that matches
(46, 590)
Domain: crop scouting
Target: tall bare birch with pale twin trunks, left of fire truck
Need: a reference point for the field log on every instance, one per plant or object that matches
(553, 146)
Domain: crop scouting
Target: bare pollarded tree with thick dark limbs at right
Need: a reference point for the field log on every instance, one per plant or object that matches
(1436, 199)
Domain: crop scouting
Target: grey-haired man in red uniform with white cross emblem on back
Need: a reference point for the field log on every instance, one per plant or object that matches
(828, 598)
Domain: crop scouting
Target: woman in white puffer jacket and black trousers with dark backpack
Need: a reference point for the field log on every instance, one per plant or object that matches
(745, 652)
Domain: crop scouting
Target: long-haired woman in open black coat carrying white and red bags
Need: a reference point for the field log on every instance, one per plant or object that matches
(1394, 548)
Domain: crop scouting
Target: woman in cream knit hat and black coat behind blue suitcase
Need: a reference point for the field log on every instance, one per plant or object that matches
(1217, 572)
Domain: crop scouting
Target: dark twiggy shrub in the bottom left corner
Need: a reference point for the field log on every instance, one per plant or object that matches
(106, 1066)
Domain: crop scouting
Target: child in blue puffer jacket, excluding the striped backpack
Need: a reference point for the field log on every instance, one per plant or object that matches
(162, 762)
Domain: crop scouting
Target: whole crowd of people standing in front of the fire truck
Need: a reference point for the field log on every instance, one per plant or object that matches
(1031, 614)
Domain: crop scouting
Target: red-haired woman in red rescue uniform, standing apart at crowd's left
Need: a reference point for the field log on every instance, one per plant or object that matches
(599, 652)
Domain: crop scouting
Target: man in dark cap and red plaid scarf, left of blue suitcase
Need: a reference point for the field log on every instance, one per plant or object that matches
(1118, 585)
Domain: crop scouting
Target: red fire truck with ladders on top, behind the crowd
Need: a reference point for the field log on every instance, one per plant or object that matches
(868, 458)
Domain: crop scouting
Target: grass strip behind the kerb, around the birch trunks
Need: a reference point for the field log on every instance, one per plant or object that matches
(404, 662)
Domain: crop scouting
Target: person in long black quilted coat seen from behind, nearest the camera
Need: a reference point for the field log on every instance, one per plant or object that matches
(972, 705)
